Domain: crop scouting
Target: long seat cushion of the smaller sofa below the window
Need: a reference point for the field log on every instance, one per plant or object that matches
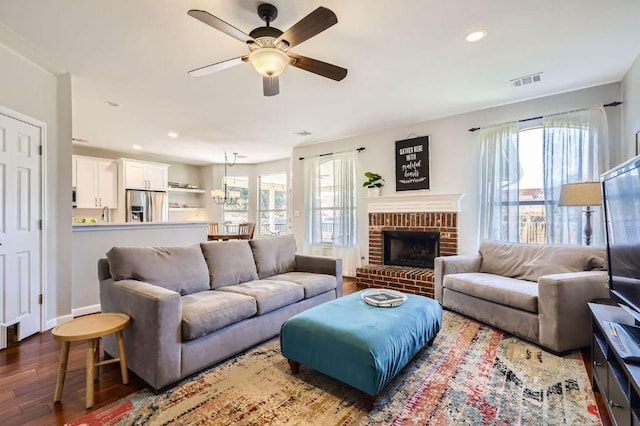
(518, 294)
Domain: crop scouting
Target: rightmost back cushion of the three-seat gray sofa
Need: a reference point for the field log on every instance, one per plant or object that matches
(274, 255)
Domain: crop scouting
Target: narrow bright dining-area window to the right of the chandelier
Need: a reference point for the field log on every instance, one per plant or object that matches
(272, 204)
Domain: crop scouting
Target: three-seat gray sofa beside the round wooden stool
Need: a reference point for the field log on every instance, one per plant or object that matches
(192, 306)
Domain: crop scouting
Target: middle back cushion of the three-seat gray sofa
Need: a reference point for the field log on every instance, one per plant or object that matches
(229, 262)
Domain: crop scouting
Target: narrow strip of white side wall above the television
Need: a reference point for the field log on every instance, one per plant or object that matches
(631, 109)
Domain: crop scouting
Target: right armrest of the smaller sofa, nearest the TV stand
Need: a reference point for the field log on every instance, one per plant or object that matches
(562, 307)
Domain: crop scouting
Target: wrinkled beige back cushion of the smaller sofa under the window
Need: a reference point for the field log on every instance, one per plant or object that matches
(531, 261)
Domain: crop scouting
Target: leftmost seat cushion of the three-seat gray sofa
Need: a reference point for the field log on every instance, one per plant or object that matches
(208, 311)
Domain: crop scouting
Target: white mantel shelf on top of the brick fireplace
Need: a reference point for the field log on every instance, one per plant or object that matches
(415, 203)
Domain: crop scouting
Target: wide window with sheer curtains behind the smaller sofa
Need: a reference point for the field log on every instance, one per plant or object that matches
(522, 172)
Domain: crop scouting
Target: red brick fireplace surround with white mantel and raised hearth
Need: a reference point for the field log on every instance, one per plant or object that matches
(424, 213)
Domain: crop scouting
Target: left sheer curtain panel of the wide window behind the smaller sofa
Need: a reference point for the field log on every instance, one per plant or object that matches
(499, 177)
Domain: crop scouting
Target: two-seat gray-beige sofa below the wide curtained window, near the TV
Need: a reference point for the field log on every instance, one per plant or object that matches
(537, 292)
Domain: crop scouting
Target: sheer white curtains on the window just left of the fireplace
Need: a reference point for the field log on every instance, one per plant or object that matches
(344, 243)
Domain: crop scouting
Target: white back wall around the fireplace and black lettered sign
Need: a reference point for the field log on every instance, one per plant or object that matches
(454, 154)
